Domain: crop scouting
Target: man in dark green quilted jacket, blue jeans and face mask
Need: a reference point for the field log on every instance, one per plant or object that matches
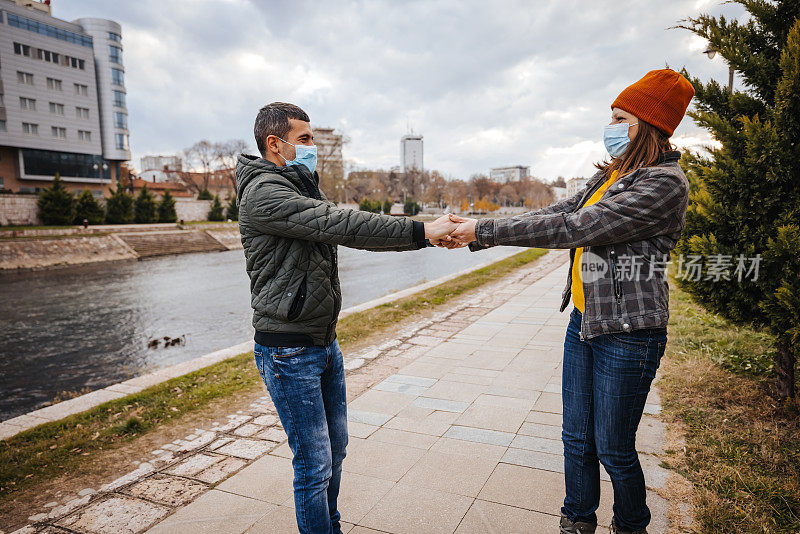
(290, 233)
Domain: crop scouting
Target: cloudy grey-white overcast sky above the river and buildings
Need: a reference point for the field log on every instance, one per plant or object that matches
(486, 83)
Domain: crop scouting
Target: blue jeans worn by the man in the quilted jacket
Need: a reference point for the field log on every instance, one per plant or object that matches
(307, 387)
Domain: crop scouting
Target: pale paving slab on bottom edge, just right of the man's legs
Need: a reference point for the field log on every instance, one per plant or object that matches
(407, 509)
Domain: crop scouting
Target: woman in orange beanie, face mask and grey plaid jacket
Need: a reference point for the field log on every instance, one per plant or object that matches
(620, 230)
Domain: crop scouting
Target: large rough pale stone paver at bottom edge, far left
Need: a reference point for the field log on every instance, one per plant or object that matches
(115, 515)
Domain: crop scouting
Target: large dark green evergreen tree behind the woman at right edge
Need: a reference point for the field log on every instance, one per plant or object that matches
(746, 194)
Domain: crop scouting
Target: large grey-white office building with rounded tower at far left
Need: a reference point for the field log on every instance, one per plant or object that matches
(62, 100)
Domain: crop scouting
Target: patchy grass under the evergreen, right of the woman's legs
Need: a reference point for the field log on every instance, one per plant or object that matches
(742, 447)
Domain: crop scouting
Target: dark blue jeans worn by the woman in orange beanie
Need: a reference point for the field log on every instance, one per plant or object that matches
(605, 384)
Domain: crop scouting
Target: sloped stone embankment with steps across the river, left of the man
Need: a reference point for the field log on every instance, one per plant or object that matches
(50, 248)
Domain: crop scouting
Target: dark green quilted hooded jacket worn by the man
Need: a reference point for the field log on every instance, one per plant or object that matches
(290, 233)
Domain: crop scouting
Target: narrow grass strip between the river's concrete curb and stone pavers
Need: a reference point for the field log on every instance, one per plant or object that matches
(55, 448)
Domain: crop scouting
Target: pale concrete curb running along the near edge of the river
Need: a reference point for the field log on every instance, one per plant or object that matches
(69, 407)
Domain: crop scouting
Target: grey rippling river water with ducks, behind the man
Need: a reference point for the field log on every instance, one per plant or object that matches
(87, 327)
